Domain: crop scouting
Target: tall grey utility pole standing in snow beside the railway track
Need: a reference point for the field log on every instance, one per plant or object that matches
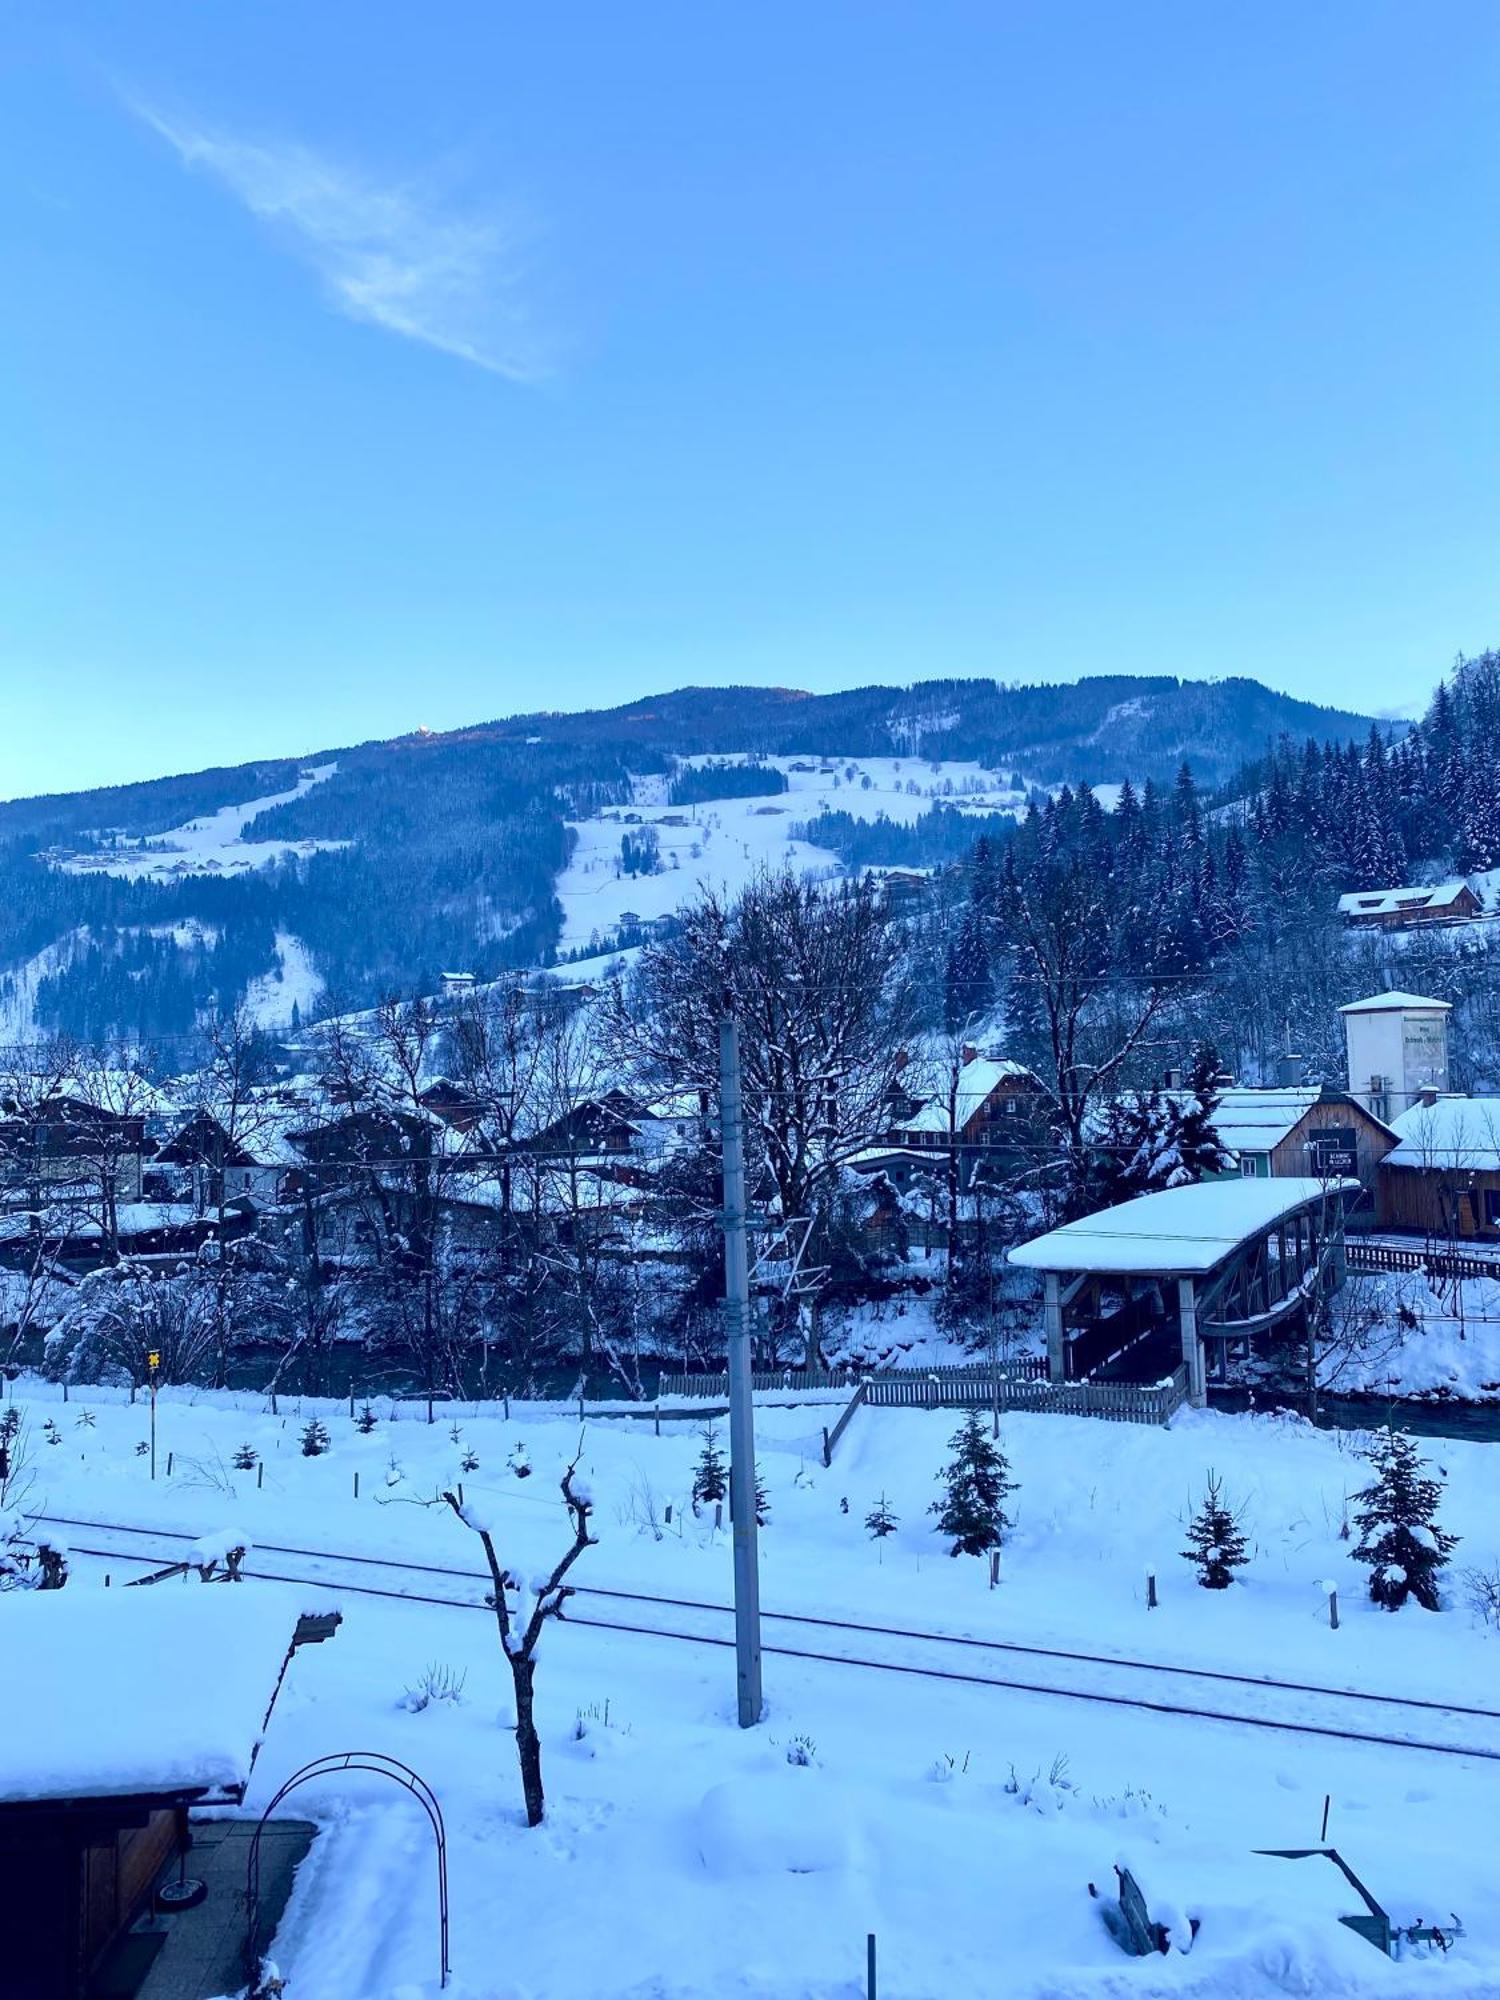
(743, 1419)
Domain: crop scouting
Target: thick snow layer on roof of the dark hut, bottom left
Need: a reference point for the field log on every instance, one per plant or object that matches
(143, 1691)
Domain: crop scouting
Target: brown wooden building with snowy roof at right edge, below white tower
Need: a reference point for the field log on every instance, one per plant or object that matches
(1443, 1177)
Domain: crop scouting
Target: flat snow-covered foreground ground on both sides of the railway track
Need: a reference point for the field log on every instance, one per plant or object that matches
(961, 1823)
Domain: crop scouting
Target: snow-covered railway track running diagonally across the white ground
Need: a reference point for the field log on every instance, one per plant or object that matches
(1111, 1681)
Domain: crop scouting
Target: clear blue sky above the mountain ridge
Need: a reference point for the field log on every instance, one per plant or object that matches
(369, 367)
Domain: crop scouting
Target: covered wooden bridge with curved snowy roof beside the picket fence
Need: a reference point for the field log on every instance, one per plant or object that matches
(1189, 1279)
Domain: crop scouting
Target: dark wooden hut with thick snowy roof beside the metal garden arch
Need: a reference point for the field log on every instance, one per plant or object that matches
(141, 1707)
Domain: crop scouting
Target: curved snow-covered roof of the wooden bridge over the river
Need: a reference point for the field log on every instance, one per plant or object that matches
(1183, 1231)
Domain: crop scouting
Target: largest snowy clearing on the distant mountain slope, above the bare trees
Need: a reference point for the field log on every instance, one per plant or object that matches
(725, 843)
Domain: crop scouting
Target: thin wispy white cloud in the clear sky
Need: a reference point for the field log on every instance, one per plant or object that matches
(389, 255)
